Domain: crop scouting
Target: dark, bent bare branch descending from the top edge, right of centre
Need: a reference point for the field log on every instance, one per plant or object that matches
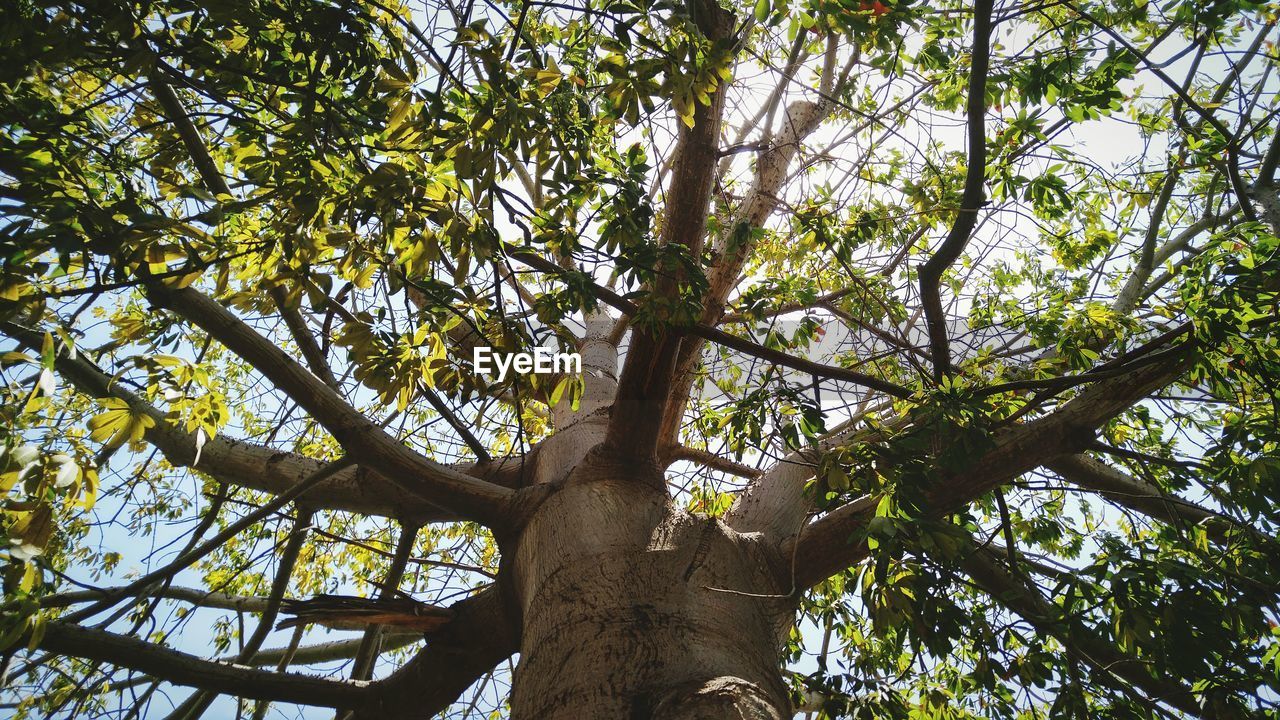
(972, 199)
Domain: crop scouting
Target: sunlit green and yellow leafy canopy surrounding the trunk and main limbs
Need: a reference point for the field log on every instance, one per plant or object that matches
(373, 174)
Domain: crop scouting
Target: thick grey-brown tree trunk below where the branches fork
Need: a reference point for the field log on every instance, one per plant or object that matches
(633, 609)
